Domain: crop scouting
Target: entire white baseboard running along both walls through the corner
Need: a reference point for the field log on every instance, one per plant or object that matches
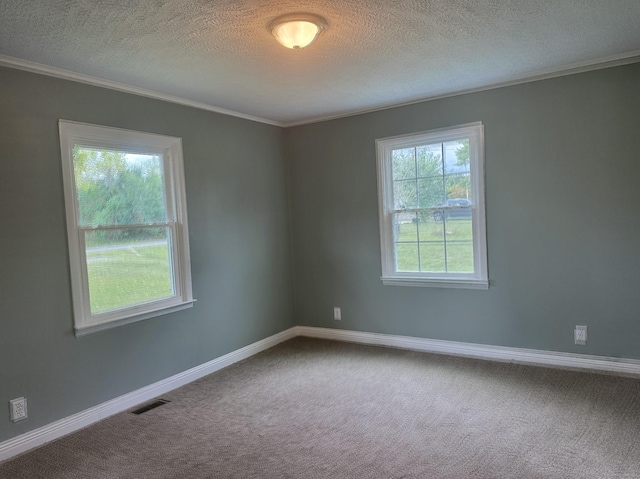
(40, 436)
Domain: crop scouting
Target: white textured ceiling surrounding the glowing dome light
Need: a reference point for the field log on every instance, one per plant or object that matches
(375, 53)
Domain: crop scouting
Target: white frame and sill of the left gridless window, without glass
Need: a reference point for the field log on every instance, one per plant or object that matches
(170, 149)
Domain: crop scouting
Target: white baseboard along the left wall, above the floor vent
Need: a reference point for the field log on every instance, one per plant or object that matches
(57, 429)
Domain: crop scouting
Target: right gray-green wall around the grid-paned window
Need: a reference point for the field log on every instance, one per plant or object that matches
(562, 181)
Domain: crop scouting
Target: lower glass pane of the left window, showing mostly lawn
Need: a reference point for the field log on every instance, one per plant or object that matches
(128, 267)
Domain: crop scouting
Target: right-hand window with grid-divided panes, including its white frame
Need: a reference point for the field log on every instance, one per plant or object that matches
(432, 222)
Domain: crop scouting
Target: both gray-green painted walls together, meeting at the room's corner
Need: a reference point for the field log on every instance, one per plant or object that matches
(562, 167)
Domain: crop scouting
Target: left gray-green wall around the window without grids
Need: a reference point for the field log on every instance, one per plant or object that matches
(239, 238)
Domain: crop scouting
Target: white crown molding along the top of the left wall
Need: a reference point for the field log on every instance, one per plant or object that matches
(33, 67)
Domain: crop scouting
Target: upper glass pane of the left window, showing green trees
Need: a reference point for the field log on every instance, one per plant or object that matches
(118, 188)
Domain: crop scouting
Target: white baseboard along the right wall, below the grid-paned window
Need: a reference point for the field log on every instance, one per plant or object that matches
(627, 367)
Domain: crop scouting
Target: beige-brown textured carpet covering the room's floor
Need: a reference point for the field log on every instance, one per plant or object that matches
(320, 409)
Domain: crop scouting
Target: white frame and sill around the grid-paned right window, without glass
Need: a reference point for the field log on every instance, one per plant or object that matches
(384, 147)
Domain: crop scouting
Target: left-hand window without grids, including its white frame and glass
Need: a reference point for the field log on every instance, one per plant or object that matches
(126, 225)
